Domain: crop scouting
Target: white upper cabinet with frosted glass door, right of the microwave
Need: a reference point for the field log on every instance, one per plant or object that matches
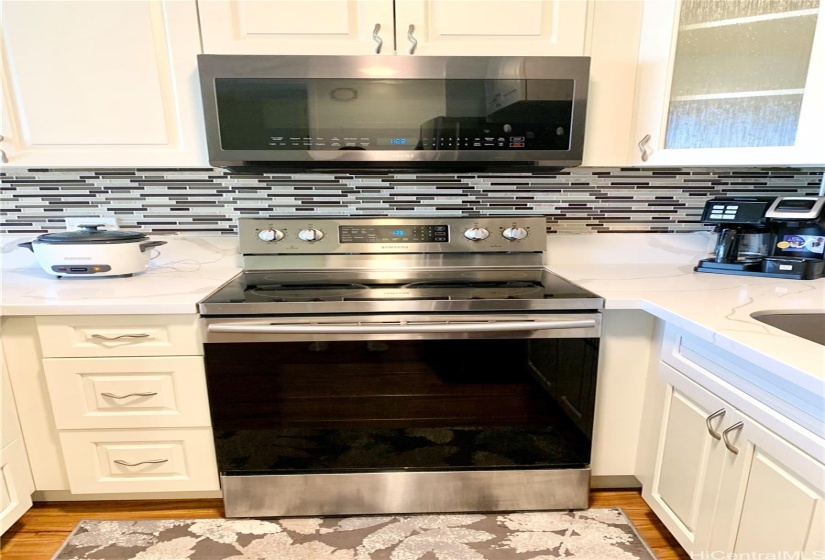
(731, 82)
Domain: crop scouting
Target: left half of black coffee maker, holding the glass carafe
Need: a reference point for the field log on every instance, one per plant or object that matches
(743, 236)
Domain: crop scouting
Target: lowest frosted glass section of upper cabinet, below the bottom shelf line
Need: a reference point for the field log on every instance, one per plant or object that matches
(744, 122)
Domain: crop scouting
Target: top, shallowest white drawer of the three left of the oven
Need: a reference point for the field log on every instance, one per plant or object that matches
(103, 336)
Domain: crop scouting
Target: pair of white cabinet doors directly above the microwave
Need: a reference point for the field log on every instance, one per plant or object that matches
(422, 27)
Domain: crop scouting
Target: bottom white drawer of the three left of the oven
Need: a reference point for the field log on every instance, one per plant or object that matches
(109, 461)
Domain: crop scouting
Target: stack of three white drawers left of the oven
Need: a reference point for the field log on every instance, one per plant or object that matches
(128, 396)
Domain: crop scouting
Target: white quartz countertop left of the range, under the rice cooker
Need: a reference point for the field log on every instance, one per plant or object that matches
(182, 272)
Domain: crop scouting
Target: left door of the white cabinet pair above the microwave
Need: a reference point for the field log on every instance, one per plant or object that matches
(349, 27)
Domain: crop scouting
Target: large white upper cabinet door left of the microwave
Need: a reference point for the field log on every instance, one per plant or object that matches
(99, 83)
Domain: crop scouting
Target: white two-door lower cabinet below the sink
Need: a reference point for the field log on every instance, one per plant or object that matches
(724, 483)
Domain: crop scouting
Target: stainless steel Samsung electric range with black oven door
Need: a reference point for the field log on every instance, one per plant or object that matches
(399, 365)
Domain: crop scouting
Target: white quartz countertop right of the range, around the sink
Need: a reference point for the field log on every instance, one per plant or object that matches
(655, 274)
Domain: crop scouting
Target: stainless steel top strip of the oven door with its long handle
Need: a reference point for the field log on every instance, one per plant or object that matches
(400, 327)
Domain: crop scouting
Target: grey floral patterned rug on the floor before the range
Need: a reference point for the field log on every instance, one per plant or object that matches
(594, 534)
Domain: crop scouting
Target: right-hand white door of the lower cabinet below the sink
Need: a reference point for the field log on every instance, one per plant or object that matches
(772, 495)
